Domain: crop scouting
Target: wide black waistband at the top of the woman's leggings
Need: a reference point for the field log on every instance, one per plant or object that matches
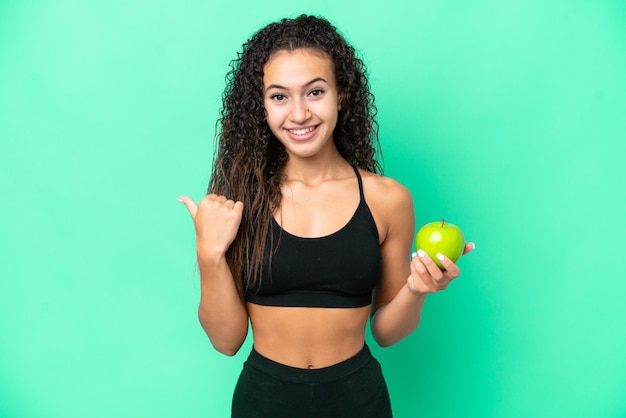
(298, 375)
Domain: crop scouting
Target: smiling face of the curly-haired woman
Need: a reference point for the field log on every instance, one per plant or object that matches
(301, 101)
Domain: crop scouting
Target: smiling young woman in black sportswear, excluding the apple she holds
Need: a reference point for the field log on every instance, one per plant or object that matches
(301, 236)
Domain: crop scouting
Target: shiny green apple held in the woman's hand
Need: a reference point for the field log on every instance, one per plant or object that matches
(441, 237)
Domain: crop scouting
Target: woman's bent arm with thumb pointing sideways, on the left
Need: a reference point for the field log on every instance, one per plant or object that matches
(222, 312)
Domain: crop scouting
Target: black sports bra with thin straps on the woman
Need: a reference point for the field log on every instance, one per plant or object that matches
(339, 270)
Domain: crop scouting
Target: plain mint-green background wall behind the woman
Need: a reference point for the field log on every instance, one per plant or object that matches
(508, 118)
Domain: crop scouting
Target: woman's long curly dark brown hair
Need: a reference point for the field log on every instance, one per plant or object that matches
(249, 160)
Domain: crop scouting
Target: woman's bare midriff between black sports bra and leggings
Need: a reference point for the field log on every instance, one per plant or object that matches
(308, 338)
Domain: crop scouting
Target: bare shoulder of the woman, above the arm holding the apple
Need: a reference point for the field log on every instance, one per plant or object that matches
(389, 201)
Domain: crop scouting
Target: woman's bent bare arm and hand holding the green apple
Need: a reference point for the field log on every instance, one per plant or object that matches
(404, 283)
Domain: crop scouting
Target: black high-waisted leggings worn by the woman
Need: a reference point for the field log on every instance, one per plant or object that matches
(352, 388)
